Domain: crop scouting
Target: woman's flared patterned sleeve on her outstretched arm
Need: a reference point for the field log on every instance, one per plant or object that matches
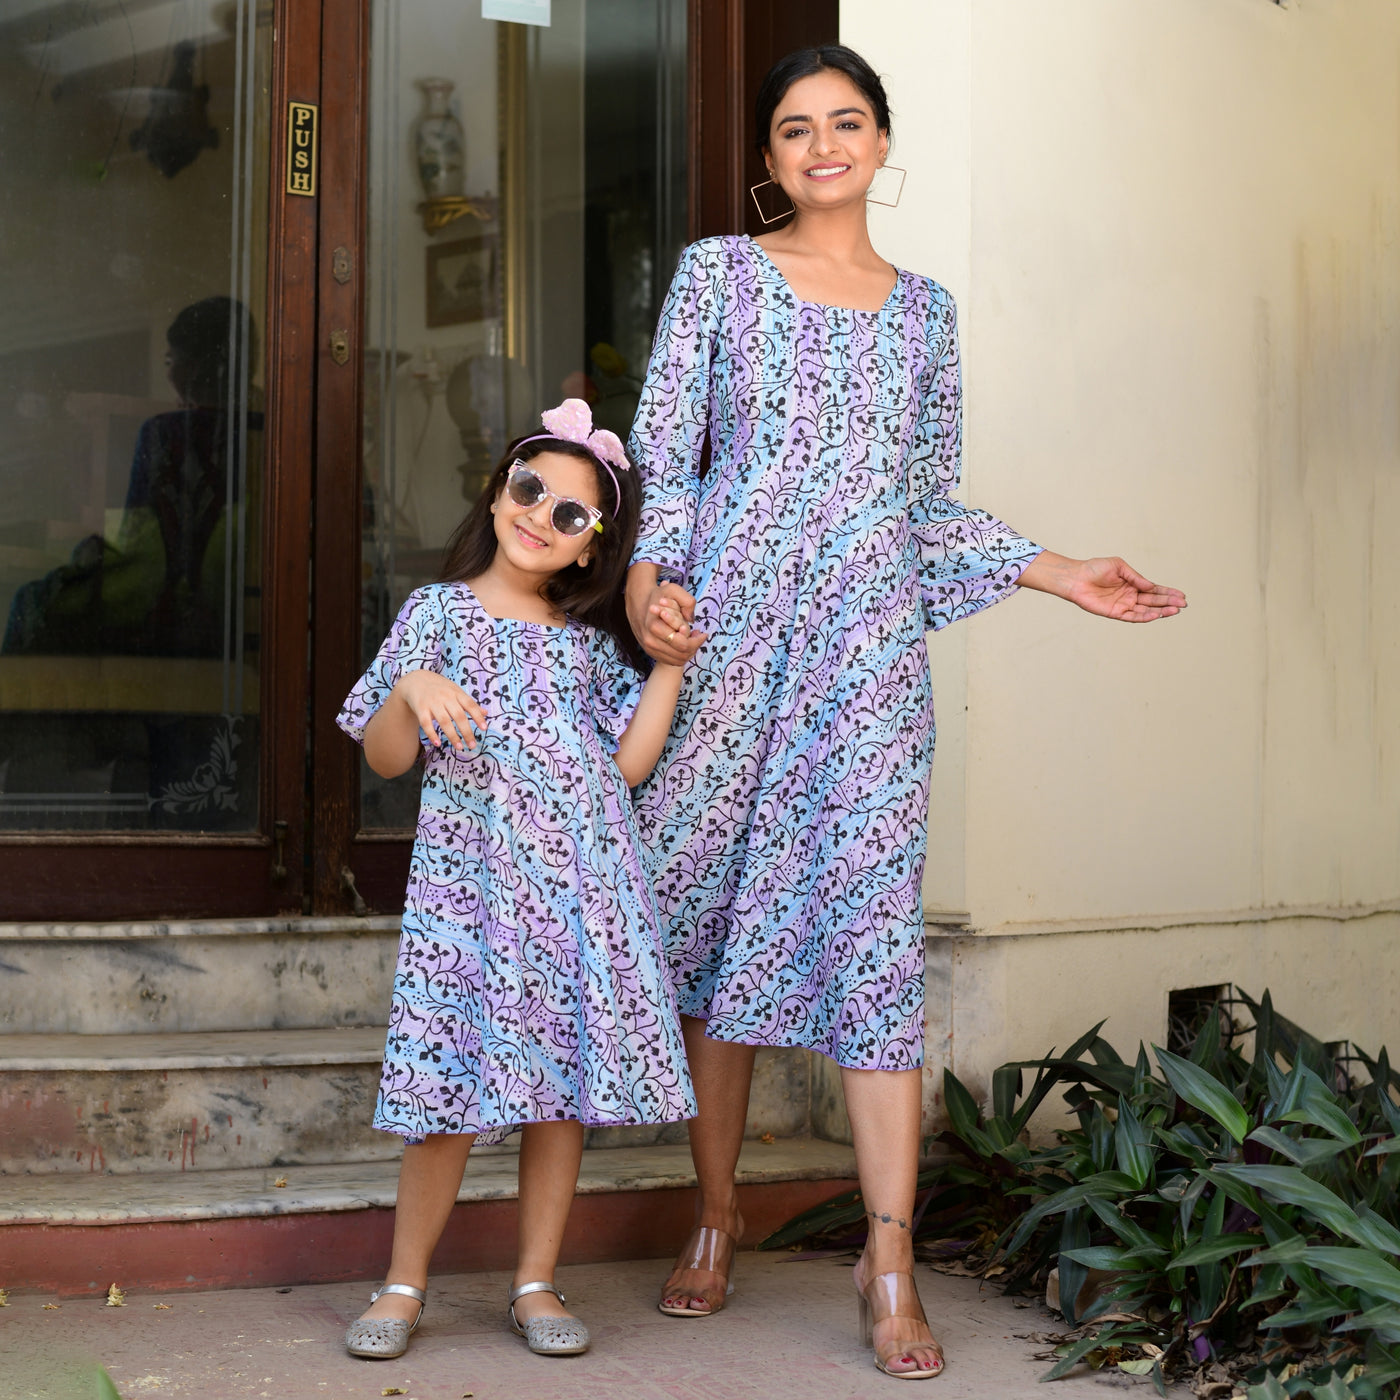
(968, 559)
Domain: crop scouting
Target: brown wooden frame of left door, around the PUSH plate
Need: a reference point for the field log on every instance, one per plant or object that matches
(117, 876)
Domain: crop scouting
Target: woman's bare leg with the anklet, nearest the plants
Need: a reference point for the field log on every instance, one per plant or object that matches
(885, 1109)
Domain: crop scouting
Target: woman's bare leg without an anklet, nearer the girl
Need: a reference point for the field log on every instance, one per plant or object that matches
(722, 1073)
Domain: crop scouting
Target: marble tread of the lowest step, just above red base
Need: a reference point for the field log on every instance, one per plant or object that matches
(253, 1193)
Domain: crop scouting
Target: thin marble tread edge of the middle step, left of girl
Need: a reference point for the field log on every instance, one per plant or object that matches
(72, 1052)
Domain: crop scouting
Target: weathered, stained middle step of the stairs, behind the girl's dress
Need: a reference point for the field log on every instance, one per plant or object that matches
(226, 1100)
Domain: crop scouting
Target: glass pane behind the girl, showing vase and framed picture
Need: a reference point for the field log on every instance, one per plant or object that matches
(537, 278)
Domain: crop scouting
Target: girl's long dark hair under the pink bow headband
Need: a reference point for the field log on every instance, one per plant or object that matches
(593, 596)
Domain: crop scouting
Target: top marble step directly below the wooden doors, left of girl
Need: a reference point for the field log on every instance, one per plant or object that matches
(213, 975)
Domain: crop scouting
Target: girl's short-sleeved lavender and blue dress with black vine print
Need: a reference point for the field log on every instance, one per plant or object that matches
(531, 976)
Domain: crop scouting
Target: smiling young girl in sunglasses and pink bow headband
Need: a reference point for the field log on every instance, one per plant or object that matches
(530, 988)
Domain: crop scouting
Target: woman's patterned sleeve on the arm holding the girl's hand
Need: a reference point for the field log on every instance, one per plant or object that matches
(668, 433)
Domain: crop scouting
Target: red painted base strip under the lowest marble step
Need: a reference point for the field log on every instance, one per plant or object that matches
(332, 1247)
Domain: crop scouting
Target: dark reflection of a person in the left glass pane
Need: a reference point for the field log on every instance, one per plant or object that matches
(180, 486)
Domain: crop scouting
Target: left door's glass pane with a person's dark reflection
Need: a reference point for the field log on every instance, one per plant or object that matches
(132, 279)
